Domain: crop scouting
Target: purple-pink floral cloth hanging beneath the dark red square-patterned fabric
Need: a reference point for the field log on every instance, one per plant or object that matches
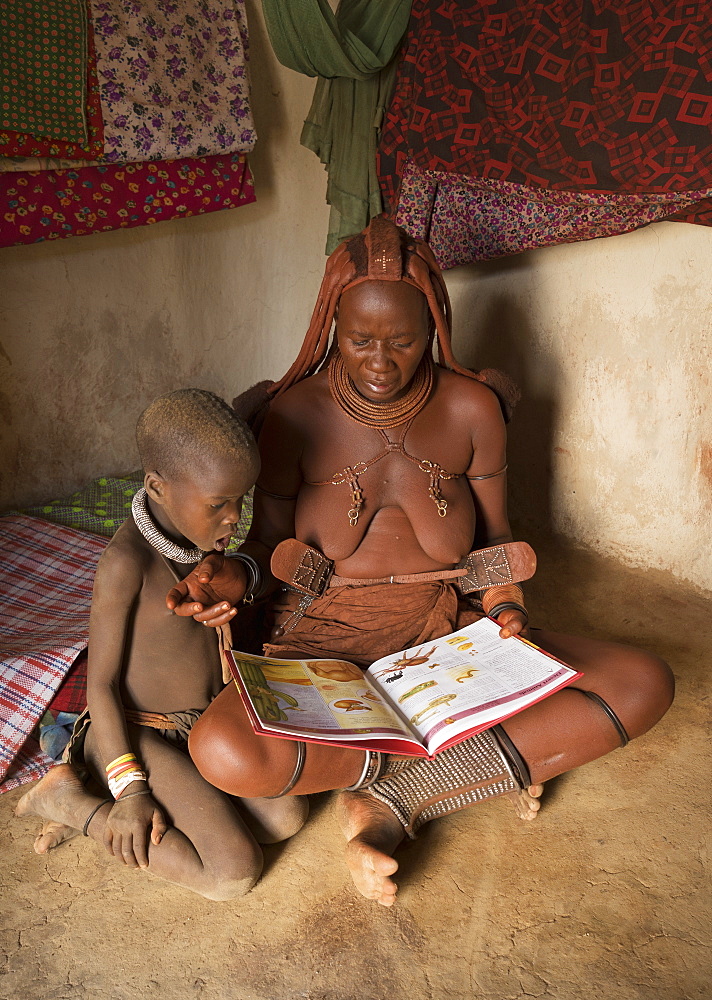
(470, 219)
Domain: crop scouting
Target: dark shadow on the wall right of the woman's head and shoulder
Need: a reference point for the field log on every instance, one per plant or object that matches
(499, 335)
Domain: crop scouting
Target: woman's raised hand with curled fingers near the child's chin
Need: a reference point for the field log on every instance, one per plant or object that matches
(210, 591)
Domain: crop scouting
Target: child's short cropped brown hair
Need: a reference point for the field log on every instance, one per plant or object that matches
(182, 428)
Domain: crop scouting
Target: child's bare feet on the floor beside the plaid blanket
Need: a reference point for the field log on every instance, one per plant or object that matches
(62, 801)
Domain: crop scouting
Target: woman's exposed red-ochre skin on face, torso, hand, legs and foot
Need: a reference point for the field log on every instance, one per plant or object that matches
(382, 332)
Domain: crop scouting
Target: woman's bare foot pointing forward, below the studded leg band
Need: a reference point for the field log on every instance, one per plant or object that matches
(373, 833)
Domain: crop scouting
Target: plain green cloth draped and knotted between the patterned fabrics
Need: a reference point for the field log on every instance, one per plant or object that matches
(353, 54)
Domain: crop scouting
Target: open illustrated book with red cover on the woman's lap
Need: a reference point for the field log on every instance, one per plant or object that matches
(416, 702)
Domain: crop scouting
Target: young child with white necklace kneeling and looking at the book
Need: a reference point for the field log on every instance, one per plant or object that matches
(151, 673)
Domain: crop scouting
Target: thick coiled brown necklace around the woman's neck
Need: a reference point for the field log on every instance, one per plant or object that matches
(371, 414)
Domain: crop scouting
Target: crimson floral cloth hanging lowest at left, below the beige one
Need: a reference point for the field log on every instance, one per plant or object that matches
(51, 204)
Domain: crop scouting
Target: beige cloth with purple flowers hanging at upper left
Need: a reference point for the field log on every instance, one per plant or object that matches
(173, 78)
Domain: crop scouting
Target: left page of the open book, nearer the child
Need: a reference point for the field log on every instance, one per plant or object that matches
(319, 698)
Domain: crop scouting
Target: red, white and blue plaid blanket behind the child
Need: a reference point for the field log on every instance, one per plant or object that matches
(48, 572)
